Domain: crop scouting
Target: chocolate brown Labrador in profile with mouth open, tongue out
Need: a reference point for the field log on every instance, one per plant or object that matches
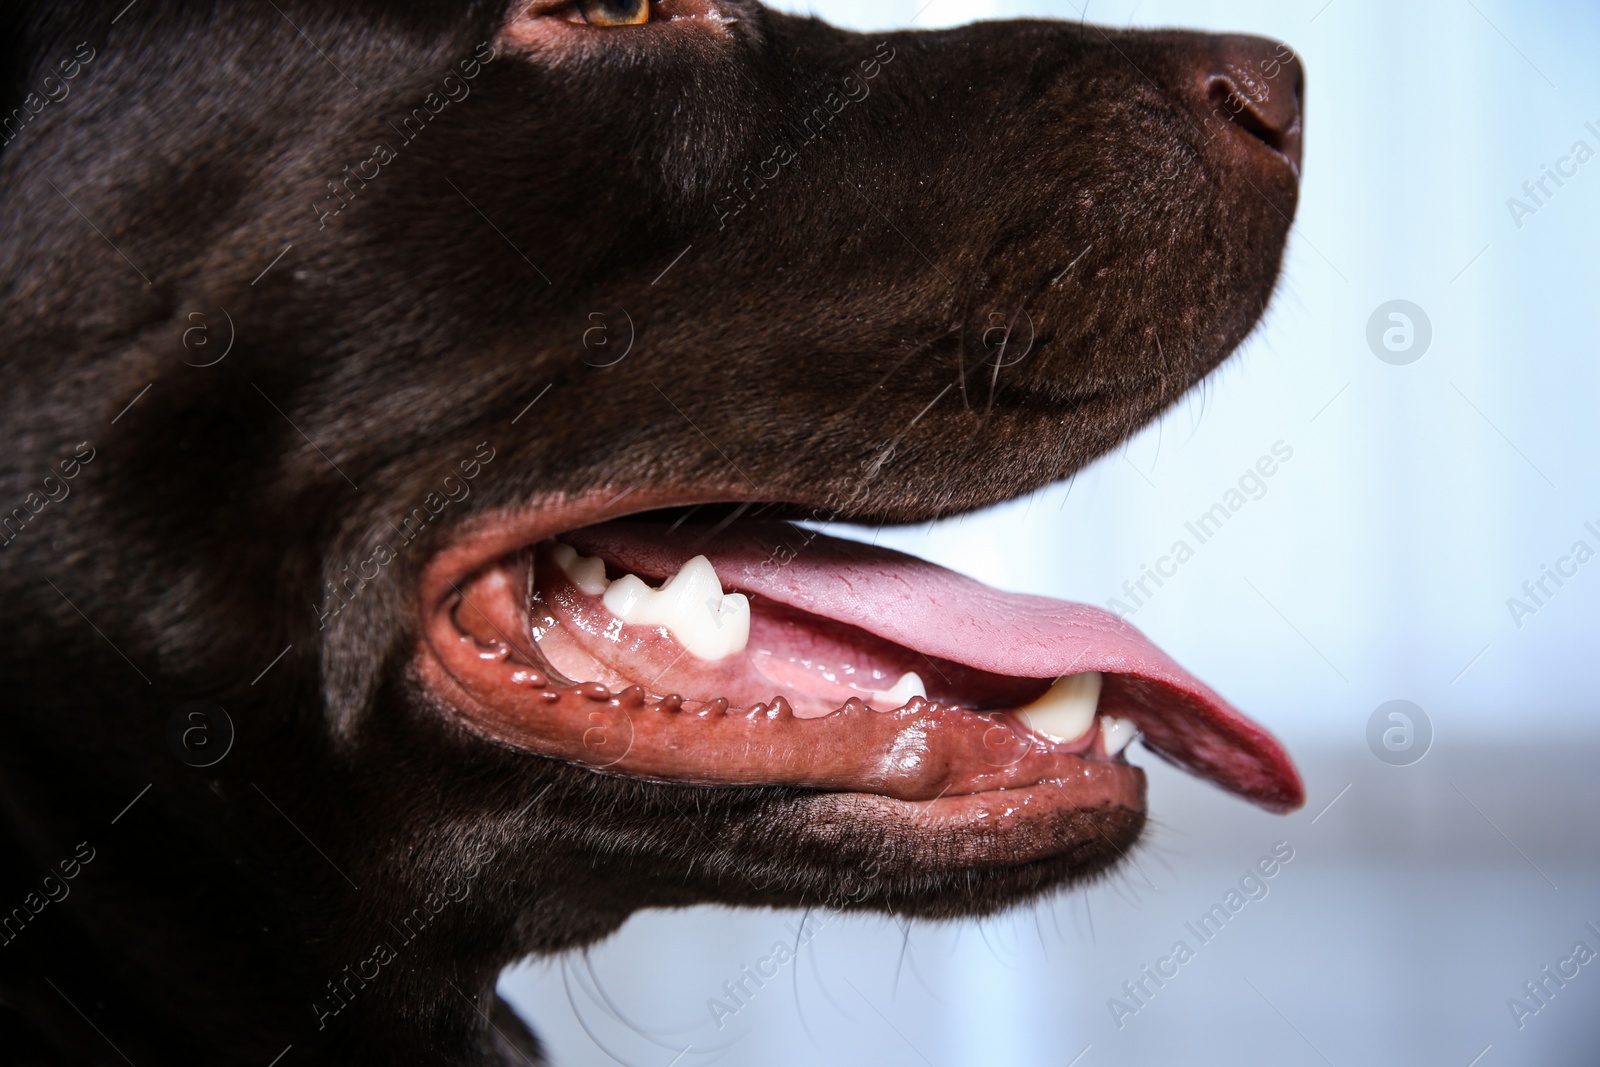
(418, 422)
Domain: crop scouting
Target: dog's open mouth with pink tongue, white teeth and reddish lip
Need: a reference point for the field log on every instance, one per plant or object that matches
(764, 653)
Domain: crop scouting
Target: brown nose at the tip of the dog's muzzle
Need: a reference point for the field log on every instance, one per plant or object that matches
(1258, 87)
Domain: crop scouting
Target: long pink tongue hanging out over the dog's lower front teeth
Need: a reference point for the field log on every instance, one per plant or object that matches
(942, 613)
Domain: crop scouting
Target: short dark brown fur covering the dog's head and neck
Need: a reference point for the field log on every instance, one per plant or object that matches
(823, 348)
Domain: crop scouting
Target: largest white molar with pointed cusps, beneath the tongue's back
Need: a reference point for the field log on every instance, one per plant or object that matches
(692, 607)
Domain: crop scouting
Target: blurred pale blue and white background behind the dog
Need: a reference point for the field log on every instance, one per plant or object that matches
(1377, 567)
